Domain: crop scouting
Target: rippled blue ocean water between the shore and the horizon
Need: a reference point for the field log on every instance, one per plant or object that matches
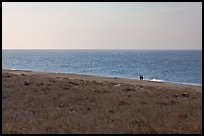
(168, 66)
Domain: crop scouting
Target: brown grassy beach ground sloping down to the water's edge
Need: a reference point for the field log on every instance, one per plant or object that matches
(40, 103)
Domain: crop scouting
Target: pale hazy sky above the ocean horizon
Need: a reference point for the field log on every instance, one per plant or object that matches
(96, 25)
